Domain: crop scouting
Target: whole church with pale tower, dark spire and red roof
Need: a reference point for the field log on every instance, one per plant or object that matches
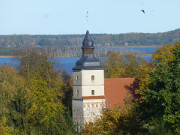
(91, 91)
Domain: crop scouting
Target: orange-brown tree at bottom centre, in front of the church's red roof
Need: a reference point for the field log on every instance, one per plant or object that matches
(120, 120)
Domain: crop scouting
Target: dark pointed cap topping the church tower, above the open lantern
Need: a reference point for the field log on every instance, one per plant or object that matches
(87, 42)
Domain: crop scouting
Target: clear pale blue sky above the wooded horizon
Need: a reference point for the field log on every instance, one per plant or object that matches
(53, 17)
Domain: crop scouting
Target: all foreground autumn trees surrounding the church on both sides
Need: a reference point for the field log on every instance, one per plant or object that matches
(36, 99)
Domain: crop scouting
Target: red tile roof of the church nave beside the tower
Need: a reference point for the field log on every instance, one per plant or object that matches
(117, 90)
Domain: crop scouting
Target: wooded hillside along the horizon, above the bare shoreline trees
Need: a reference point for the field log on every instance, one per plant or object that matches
(129, 39)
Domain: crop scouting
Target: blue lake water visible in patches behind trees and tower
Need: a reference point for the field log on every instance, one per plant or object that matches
(68, 63)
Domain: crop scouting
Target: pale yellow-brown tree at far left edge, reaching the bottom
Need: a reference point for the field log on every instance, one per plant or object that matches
(10, 82)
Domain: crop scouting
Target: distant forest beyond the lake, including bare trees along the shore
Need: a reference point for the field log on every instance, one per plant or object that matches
(56, 44)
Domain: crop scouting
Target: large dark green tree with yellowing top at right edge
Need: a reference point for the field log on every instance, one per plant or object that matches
(160, 97)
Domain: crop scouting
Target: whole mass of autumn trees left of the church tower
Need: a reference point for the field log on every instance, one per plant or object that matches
(35, 100)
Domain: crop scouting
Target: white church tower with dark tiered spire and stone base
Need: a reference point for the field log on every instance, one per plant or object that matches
(88, 85)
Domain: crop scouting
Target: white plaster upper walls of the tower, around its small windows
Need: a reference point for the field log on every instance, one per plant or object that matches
(85, 85)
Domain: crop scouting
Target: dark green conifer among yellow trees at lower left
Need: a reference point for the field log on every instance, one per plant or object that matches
(18, 111)
